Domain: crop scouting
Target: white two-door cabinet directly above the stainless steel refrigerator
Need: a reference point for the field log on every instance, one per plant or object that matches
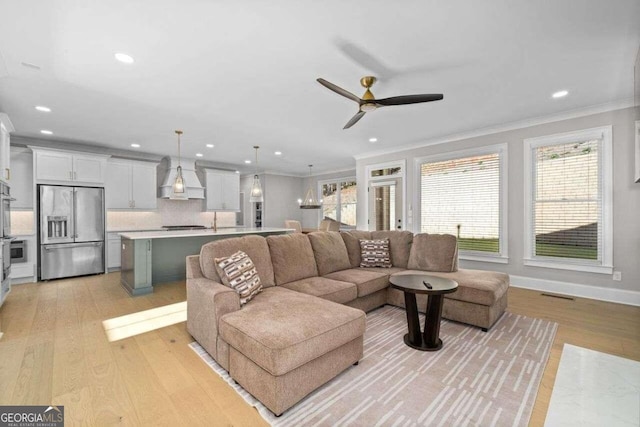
(69, 167)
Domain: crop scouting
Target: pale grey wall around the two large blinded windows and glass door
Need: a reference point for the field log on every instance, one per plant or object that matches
(626, 196)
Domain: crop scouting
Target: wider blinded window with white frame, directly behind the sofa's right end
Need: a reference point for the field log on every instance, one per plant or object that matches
(462, 194)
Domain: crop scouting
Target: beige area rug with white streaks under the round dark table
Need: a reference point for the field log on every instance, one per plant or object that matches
(478, 378)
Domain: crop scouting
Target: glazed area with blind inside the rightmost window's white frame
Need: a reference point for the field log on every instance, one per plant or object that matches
(567, 201)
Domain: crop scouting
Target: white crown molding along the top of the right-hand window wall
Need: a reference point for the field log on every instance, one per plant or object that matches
(520, 124)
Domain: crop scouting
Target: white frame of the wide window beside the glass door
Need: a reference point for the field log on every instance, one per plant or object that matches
(502, 257)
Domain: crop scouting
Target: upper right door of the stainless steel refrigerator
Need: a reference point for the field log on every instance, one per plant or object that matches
(89, 212)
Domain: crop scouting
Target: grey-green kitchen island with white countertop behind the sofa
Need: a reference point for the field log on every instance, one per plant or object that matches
(152, 257)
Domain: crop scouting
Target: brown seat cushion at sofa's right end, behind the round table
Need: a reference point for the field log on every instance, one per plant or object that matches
(475, 286)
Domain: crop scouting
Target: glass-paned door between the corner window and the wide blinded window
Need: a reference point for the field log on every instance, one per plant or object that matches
(385, 205)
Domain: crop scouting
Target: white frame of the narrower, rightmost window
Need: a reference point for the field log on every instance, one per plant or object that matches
(605, 265)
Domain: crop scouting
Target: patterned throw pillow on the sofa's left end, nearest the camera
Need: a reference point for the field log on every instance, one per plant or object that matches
(238, 272)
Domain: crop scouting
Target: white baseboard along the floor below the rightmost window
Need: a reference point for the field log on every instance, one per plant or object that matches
(600, 293)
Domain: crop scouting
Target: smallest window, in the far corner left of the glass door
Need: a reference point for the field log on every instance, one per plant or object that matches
(339, 201)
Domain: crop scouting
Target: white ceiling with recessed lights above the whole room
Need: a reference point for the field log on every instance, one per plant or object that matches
(242, 73)
